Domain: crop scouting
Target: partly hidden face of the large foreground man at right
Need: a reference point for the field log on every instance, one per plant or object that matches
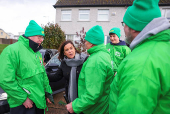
(128, 35)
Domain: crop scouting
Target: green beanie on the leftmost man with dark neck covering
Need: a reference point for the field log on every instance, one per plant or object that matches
(34, 29)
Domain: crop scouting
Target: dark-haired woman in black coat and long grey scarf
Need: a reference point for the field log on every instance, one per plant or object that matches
(71, 64)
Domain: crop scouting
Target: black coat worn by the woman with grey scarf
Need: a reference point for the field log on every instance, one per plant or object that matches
(64, 72)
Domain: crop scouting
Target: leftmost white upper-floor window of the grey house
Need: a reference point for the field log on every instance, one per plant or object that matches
(66, 15)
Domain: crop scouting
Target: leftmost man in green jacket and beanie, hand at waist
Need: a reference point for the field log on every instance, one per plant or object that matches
(23, 76)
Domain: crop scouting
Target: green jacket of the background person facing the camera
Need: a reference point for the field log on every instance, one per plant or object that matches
(118, 53)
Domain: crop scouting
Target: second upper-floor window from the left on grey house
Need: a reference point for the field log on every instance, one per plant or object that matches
(84, 14)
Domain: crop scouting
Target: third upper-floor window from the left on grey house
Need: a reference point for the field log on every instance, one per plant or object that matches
(103, 15)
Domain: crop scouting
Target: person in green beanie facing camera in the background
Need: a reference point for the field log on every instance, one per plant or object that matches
(117, 48)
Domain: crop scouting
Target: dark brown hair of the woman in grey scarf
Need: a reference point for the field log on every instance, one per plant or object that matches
(61, 49)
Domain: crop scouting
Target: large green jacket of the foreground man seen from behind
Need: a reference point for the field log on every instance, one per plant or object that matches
(142, 83)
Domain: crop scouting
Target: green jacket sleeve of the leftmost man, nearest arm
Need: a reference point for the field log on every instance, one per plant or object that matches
(10, 62)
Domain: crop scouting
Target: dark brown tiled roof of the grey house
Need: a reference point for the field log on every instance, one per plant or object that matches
(100, 3)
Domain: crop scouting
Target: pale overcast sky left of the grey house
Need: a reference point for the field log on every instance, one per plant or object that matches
(16, 14)
